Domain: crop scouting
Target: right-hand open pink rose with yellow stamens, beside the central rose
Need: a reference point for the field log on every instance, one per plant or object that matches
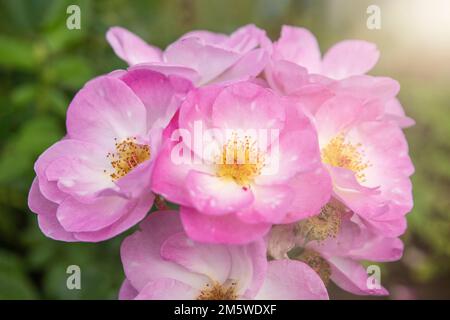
(368, 162)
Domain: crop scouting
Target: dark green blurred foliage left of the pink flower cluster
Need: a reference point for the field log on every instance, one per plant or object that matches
(42, 65)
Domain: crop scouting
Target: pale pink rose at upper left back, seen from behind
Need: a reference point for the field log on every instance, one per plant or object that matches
(202, 56)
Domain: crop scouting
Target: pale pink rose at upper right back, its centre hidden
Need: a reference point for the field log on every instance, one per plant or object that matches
(296, 68)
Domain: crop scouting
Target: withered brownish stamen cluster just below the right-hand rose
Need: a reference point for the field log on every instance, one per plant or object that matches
(326, 224)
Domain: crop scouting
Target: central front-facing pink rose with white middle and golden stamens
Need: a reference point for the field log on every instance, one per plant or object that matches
(225, 198)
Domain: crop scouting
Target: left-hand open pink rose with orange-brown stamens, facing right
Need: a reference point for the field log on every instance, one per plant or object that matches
(94, 183)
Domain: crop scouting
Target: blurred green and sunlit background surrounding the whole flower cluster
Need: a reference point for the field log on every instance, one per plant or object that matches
(42, 65)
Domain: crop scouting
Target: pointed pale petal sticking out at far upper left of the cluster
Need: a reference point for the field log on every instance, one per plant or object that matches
(130, 47)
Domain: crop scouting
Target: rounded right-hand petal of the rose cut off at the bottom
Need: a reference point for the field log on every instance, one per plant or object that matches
(291, 280)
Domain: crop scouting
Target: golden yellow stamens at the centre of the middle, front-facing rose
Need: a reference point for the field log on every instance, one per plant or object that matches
(240, 160)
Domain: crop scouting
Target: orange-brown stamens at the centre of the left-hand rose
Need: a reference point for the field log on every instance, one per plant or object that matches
(128, 155)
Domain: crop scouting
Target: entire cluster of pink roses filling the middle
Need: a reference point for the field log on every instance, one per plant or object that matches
(288, 168)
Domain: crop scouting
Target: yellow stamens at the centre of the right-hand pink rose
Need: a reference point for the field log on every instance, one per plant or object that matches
(340, 153)
